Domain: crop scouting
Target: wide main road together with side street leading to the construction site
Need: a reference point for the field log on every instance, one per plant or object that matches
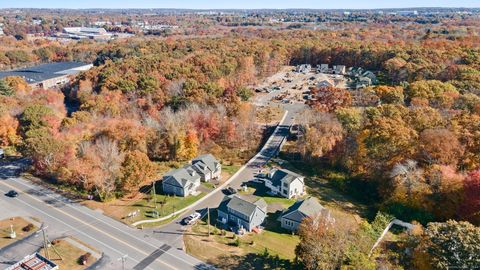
(159, 248)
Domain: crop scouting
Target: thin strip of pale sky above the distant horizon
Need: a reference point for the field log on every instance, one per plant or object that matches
(244, 5)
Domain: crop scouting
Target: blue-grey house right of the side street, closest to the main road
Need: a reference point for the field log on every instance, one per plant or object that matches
(242, 213)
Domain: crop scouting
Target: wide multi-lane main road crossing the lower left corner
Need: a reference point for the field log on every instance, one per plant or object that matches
(66, 218)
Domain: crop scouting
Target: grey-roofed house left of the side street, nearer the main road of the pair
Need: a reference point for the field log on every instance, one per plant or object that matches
(181, 182)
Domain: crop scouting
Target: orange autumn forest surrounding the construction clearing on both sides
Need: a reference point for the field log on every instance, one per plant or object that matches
(414, 140)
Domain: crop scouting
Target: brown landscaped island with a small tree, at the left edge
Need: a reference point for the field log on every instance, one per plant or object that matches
(22, 228)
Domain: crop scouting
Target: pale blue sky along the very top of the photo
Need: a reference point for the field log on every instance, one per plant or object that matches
(243, 4)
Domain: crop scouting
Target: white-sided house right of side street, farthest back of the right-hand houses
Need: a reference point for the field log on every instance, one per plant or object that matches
(285, 183)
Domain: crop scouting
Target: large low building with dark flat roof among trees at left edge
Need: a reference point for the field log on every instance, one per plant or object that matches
(48, 75)
